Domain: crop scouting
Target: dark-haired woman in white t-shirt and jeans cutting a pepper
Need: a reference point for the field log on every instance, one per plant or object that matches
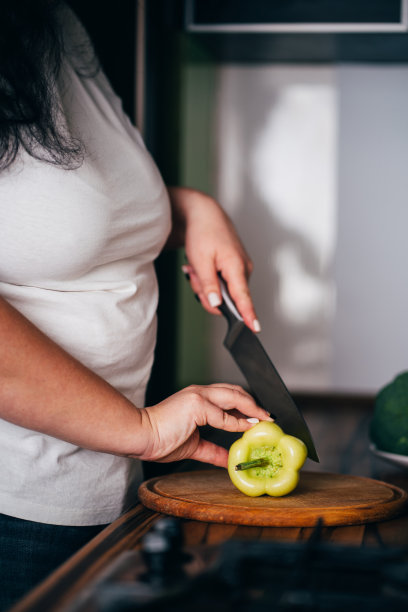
(83, 215)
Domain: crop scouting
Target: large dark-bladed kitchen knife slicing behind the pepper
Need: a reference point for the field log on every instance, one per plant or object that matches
(263, 379)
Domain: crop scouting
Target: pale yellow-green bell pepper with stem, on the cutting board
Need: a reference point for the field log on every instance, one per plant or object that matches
(266, 460)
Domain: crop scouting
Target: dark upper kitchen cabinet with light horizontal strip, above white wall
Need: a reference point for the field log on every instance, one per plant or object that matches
(299, 31)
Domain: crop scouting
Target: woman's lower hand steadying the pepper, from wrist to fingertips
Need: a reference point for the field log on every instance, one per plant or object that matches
(170, 428)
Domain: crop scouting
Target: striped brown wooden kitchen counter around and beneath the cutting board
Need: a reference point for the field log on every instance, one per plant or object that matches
(340, 429)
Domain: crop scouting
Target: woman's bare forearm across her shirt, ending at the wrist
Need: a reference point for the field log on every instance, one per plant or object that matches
(45, 389)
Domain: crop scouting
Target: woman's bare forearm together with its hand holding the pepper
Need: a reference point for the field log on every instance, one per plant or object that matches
(44, 389)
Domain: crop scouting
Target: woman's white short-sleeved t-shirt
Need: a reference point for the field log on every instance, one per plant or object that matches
(76, 258)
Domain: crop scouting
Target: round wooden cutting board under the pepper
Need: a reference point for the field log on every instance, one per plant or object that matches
(338, 499)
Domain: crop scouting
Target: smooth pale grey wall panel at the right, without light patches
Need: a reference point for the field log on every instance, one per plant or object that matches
(370, 335)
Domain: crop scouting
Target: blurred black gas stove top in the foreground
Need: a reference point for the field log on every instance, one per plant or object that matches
(249, 576)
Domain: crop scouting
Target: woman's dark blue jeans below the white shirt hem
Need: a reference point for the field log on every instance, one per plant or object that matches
(30, 551)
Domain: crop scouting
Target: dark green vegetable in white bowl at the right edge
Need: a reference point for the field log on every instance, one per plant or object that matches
(389, 426)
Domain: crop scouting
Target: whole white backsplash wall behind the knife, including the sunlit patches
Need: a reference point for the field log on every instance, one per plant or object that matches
(311, 165)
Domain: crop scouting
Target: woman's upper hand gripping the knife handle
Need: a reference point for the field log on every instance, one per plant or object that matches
(212, 245)
